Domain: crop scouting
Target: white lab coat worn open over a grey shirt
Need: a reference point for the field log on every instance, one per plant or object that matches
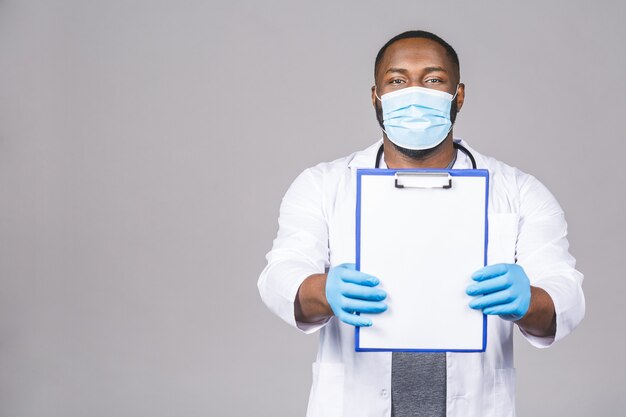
(317, 232)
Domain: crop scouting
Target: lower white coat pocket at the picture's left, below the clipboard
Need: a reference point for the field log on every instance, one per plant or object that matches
(326, 399)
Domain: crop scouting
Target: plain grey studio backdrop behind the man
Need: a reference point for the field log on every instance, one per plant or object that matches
(145, 147)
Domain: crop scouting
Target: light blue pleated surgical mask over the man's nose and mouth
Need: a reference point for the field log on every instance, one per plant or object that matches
(416, 117)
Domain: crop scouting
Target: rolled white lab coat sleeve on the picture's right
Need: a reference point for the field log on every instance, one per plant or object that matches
(543, 251)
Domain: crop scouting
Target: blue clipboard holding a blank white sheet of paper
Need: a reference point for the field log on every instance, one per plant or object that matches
(423, 233)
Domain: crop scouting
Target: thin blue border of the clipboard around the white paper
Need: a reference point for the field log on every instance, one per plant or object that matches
(455, 173)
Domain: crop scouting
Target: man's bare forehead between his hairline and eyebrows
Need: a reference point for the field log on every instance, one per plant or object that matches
(415, 53)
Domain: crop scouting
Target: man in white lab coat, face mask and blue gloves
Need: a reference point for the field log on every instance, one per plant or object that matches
(310, 280)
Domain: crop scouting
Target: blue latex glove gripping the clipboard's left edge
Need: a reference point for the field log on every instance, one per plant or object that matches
(350, 291)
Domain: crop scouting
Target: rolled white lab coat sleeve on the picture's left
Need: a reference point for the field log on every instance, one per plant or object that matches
(299, 250)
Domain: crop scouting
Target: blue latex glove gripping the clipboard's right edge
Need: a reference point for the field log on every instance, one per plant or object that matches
(501, 289)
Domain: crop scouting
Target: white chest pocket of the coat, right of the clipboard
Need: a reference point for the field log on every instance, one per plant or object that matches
(503, 229)
